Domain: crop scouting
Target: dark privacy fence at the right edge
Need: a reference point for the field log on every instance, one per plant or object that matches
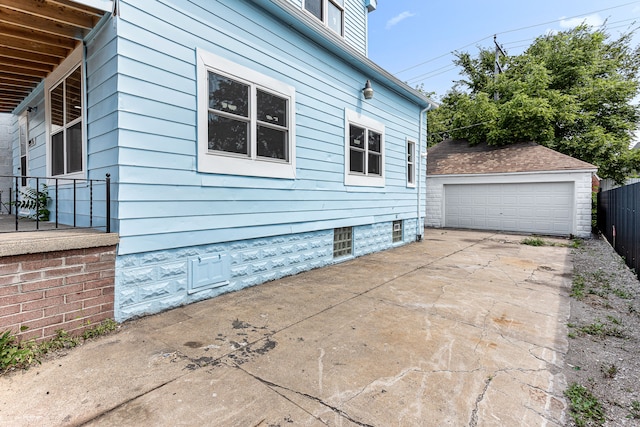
(619, 222)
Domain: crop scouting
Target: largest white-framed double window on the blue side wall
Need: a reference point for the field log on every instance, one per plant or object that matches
(246, 123)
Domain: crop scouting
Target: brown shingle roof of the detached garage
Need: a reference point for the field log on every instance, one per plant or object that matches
(457, 157)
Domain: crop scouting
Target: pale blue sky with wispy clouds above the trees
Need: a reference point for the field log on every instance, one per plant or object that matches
(414, 39)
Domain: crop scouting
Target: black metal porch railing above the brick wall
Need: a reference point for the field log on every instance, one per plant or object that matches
(56, 201)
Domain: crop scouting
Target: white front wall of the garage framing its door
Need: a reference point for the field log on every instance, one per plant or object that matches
(581, 180)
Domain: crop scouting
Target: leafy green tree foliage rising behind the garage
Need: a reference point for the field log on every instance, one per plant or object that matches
(571, 91)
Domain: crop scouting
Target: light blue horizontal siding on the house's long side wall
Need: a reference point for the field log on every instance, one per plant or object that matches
(165, 202)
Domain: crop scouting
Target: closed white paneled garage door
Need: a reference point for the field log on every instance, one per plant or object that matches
(544, 208)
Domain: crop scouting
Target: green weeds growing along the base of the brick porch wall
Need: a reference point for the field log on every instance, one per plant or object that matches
(21, 355)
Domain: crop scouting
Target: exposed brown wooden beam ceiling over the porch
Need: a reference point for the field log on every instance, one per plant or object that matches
(36, 36)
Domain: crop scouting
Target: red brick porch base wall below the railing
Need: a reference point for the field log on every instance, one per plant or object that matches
(69, 289)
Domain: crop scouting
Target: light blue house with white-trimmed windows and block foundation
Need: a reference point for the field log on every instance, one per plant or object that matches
(245, 140)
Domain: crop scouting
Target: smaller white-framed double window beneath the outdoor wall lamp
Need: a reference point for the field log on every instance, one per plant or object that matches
(364, 151)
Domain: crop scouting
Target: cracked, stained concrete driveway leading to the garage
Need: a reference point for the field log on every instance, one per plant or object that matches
(462, 329)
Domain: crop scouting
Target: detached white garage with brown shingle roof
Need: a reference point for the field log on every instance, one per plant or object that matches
(523, 187)
